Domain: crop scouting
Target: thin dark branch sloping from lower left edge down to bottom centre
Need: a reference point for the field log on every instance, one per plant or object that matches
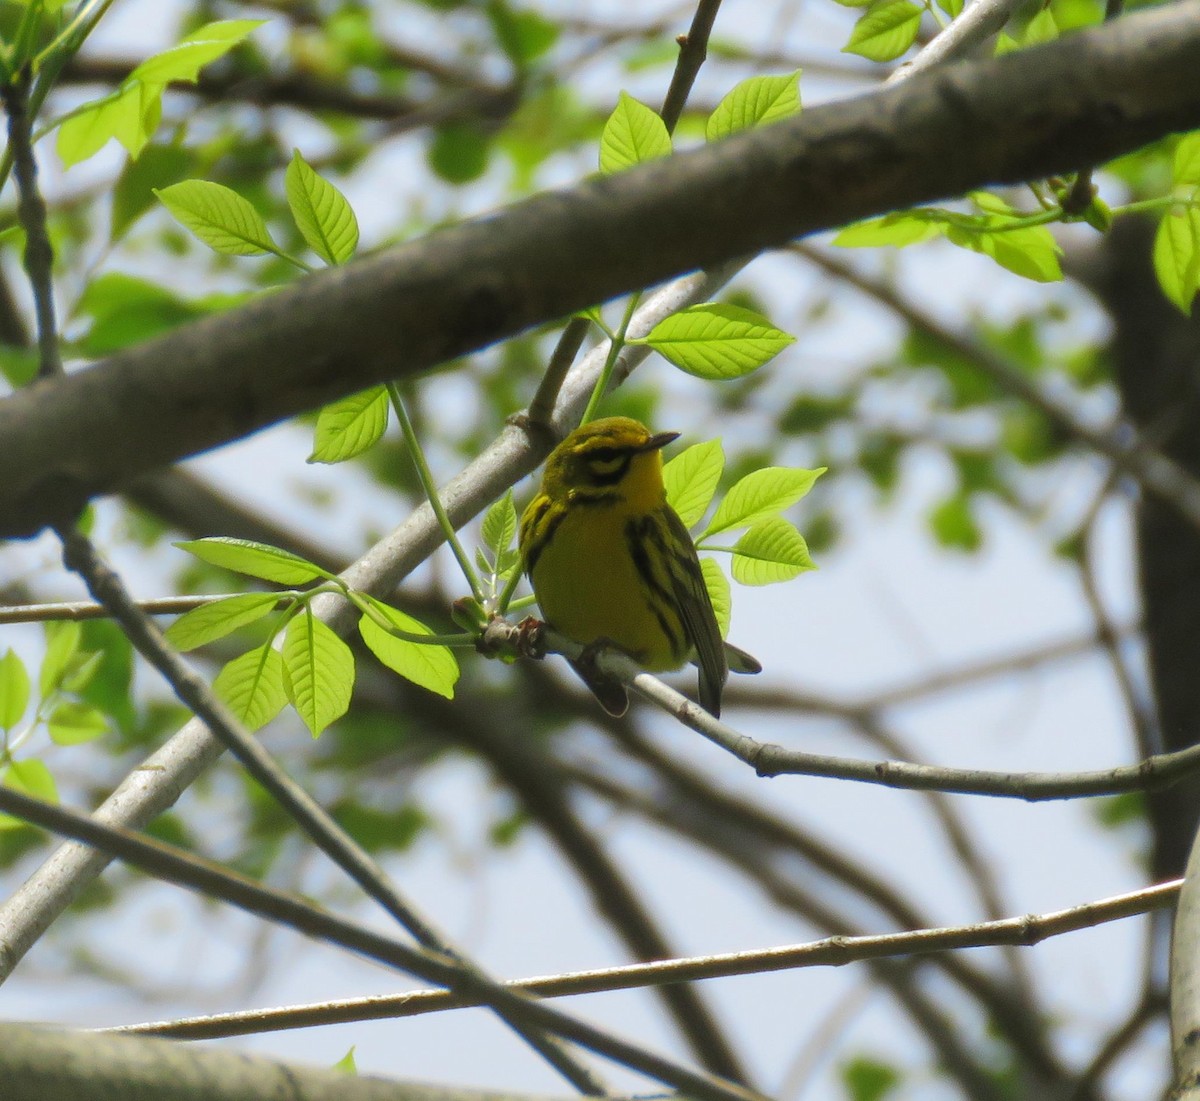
(206, 879)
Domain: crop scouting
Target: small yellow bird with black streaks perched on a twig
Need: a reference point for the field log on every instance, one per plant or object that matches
(613, 564)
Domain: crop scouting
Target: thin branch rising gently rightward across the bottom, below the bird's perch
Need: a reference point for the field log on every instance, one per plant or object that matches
(830, 952)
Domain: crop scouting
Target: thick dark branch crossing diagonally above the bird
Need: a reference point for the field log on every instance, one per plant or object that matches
(1047, 110)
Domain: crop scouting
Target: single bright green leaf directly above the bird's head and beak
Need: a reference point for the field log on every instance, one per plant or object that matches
(715, 341)
